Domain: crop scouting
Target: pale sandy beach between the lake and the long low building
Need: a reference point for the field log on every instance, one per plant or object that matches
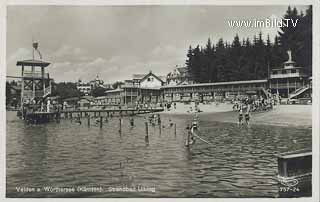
(282, 115)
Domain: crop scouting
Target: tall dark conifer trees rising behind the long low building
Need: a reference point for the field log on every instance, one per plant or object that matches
(248, 59)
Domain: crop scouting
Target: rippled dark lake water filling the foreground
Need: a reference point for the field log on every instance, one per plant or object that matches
(239, 163)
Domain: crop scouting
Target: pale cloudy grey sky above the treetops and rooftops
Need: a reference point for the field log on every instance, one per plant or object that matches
(118, 41)
